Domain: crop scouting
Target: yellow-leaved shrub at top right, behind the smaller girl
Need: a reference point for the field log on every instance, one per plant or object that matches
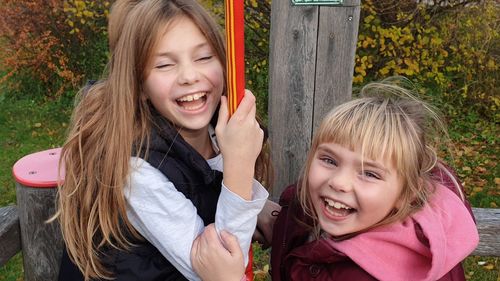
(451, 47)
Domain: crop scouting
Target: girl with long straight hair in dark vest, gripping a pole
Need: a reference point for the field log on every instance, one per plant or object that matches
(143, 163)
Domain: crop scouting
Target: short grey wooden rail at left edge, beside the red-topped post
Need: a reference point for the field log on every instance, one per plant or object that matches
(10, 234)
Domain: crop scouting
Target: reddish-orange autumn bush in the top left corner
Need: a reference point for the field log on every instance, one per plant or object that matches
(51, 43)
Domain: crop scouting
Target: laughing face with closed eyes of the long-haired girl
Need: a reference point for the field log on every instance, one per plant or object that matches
(186, 79)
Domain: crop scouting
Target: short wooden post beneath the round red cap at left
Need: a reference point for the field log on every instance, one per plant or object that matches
(41, 242)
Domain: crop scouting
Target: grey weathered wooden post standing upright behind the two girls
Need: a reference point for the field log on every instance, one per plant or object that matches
(312, 50)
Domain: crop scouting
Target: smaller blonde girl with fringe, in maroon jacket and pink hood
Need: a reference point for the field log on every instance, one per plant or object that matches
(375, 203)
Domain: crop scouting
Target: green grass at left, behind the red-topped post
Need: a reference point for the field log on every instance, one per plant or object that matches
(28, 125)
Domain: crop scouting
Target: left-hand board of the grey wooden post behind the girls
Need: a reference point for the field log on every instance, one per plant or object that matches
(292, 61)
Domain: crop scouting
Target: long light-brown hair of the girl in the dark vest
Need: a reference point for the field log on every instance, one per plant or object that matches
(110, 123)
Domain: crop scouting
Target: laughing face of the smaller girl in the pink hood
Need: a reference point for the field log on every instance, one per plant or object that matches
(351, 193)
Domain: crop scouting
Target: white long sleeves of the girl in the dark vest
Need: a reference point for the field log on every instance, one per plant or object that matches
(167, 219)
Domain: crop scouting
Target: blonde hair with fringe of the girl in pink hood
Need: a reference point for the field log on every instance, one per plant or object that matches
(386, 122)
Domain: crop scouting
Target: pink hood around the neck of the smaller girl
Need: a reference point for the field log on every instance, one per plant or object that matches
(396, 253)
